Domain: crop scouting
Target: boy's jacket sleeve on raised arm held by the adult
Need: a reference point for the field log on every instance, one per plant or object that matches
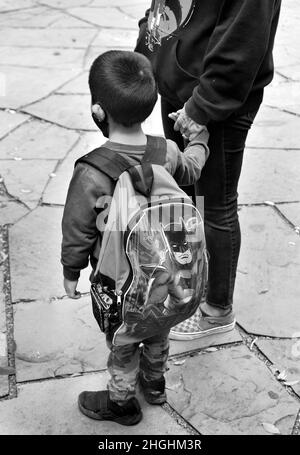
(186, 167)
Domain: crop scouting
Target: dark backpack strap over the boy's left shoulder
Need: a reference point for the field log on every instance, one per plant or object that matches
(106, 161)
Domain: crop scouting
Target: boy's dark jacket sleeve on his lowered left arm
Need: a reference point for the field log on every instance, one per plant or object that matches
(79, 229)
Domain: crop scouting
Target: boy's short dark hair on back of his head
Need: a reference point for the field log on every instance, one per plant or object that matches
(123, 83)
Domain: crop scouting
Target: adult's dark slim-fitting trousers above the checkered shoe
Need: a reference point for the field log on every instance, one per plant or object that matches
(218, 185)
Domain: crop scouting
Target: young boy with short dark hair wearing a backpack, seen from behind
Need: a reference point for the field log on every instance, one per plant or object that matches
(123, 92)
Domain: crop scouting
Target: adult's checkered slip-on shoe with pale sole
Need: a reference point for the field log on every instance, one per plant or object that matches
(201, 325)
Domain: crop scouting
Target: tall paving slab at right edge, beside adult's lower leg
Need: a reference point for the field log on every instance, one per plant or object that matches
(267, 288)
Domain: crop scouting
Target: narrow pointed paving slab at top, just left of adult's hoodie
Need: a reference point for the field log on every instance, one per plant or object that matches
(105, 17)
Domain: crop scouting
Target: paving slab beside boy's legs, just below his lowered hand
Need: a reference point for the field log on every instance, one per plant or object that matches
(64, 339)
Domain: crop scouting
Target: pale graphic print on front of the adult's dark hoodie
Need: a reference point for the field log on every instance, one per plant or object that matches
(165, 18)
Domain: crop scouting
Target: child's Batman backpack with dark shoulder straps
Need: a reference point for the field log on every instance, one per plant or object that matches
(152, 267)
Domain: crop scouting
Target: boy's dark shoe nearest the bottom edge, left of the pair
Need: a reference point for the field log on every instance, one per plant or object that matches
(98, 406)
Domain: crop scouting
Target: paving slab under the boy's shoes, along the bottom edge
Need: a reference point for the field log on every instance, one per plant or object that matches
(50, 408)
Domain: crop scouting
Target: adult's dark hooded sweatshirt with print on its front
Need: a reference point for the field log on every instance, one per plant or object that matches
(220, 61)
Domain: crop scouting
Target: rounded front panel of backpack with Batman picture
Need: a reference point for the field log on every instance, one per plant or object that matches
(166, 250)
